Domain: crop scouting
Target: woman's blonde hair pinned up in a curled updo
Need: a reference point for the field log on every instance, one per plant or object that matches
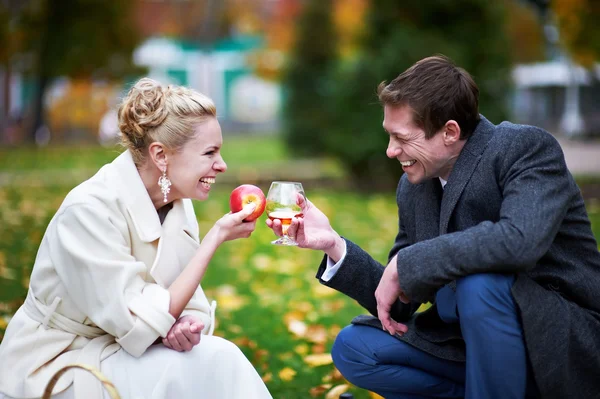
(153, 113)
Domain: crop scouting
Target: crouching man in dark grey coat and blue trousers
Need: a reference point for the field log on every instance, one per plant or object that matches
(493, 232)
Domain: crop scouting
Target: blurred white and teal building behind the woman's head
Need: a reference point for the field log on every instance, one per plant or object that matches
(245, 101)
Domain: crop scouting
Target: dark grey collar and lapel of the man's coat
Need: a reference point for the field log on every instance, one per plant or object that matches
(463, 169)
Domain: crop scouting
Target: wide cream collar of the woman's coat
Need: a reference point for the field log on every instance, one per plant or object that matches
(132, 192)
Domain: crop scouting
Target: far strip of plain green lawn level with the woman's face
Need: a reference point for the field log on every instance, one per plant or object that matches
(250, 159)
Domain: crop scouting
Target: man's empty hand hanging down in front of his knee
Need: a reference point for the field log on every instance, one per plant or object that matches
(387, 292)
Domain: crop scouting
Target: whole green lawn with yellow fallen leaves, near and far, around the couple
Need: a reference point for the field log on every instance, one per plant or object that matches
(269, 302)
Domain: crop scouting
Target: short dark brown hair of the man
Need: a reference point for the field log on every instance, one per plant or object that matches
(437, 91)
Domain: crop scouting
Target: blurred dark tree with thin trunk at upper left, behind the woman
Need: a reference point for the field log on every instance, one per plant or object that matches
(76, 38)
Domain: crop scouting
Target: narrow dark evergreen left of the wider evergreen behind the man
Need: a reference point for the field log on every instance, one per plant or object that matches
(306, 116)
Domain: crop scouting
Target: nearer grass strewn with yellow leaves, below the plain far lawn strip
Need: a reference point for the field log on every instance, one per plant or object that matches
(260, 287)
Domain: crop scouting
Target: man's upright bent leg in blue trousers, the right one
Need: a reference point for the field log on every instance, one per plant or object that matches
(497, 365)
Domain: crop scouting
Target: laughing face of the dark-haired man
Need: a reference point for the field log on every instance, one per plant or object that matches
(421, 158)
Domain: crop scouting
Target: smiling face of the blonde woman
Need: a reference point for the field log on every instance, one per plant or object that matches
(192, 169)
